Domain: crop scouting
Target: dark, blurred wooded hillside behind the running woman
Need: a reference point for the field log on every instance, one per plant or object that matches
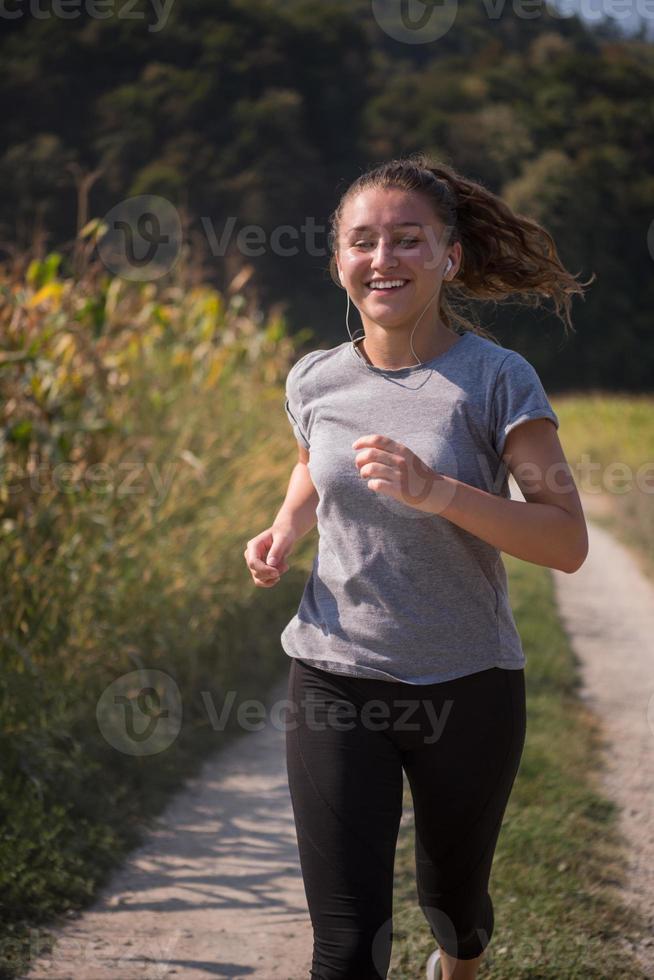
(263, 111)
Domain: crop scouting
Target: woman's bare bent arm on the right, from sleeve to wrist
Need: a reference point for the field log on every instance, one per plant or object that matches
(548, 527)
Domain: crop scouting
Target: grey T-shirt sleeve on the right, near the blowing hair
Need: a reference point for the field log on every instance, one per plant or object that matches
(518, 396)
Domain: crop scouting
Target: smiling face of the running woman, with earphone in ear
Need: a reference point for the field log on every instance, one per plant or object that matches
(388, 235)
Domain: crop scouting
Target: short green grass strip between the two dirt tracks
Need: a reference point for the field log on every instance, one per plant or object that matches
(559, 856)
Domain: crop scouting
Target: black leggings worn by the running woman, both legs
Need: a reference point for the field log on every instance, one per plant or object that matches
(348, 739)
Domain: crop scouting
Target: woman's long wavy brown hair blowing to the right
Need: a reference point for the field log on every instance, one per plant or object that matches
(504, 254)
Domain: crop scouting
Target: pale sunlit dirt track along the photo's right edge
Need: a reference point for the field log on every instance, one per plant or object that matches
(607, 608)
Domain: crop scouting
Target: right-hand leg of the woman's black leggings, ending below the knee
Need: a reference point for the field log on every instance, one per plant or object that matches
(461, 781)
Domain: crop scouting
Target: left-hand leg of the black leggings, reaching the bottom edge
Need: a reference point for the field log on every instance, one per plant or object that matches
(345, 780)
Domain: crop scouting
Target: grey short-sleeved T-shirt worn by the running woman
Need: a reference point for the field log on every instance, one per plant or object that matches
(395, 593)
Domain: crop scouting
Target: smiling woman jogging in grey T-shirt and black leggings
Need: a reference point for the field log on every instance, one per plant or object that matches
(405, 654)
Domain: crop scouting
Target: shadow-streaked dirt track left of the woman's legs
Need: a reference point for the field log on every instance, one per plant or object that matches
(215, 891)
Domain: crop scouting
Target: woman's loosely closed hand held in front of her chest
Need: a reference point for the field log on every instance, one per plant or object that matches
(394, 470)
